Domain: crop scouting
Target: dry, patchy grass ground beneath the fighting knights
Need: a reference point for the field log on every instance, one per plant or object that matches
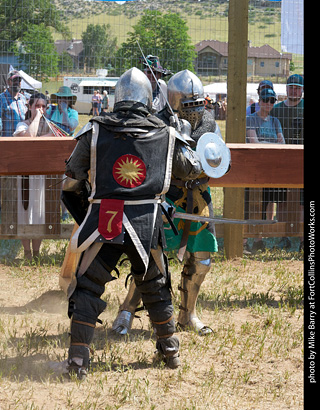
(252, 361)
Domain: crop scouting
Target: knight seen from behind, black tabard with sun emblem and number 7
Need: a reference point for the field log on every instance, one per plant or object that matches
(129, 155)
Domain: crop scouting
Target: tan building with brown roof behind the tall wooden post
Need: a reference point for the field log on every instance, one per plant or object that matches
(264, 61)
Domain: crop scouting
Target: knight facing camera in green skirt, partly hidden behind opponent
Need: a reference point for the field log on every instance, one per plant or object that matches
(196, 240)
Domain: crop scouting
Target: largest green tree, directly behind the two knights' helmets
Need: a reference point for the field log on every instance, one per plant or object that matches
(164, 35)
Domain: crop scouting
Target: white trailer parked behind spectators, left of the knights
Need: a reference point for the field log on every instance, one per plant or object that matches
(83, 88)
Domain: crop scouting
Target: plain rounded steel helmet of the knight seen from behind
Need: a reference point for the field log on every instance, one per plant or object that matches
(134, 85)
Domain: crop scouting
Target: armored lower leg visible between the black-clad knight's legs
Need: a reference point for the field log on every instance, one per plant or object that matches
(123, 321)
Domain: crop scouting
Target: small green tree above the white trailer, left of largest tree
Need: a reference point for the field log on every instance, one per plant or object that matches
(98, 46)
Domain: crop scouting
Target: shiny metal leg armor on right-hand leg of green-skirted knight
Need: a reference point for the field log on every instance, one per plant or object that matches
(194, 272)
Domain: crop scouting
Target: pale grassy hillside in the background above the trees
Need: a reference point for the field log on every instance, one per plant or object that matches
(207, 20)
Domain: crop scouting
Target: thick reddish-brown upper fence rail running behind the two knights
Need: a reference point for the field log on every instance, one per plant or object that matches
(253, 165)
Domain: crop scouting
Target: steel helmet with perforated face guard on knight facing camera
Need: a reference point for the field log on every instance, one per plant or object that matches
(186, 97)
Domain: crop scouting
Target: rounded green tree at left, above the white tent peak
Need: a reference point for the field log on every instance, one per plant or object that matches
(36, 50)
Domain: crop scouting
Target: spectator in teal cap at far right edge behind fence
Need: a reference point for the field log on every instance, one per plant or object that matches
(290, 113)
